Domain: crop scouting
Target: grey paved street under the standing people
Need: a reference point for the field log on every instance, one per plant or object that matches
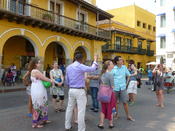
(13, 111)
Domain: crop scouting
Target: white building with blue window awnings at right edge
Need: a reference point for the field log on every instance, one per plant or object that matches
(165, 34)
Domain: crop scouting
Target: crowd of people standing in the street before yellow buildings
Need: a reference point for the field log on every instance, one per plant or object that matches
(113, 84)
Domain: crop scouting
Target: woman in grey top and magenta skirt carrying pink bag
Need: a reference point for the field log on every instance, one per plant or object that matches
(107, 80)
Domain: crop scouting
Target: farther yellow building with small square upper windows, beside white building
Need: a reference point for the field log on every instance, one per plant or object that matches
(133, 35)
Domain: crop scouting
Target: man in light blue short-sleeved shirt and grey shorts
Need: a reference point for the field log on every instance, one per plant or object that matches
(120, 72)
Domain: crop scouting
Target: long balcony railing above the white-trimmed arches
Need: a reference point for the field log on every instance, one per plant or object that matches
(30, 11)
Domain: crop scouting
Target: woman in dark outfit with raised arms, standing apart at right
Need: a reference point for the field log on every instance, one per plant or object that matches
(159, 84)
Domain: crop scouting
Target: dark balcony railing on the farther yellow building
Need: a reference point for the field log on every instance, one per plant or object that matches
(123, 49)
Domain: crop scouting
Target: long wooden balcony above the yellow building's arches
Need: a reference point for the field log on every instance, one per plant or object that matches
(23, 13)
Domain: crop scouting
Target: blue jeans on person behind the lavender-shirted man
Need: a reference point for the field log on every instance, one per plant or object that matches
(94, 91)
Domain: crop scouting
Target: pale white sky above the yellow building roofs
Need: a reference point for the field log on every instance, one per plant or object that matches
(111, 4)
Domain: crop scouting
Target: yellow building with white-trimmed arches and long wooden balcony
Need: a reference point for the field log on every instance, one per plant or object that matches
(50, 29)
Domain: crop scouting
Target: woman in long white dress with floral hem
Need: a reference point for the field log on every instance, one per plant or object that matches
(38, 95)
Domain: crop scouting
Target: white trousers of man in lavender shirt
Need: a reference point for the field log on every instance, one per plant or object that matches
(76, 96)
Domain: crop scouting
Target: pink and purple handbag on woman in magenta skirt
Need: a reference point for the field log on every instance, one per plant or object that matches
(104, 94)
